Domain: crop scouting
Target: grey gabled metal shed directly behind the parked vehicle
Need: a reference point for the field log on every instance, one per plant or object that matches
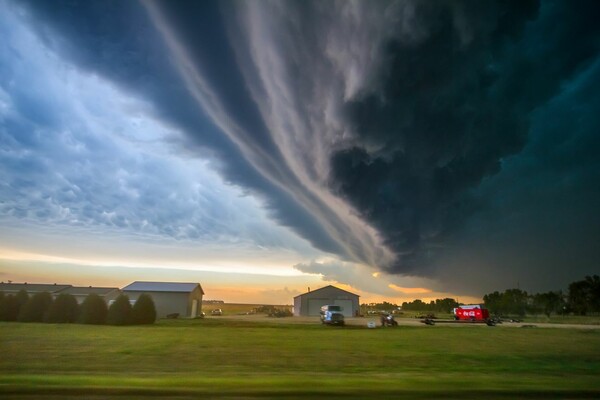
(309, 303)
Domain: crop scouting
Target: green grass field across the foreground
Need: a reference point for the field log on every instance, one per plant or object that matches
(259, 357)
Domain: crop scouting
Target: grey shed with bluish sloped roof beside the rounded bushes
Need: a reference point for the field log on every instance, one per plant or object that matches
(170, 298)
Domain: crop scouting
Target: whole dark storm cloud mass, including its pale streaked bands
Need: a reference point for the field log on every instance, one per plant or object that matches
(451, 140)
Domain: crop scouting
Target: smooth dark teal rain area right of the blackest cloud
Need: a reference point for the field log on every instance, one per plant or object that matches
(540, 226)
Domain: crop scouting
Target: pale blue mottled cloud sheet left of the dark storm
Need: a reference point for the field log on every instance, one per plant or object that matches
(82, 157)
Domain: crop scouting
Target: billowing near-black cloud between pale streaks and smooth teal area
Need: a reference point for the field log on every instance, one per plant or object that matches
(450, 109)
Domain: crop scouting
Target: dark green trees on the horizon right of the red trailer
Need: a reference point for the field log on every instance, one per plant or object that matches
(582, 298)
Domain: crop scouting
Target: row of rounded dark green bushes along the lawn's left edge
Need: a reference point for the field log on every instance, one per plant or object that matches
(64, 309)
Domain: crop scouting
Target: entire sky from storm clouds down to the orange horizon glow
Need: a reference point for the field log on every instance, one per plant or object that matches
(399, 150)
